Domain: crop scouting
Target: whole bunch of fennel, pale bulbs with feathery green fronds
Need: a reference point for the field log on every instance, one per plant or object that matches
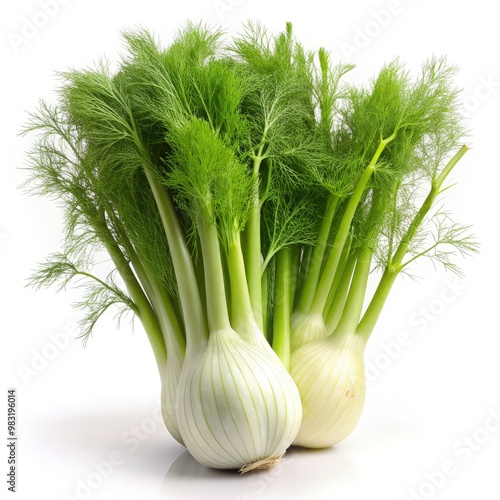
(244, 195)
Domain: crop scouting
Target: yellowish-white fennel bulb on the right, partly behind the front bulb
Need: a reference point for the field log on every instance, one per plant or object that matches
(329, 374)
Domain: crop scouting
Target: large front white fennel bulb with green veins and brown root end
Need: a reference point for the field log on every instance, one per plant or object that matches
(238, 408)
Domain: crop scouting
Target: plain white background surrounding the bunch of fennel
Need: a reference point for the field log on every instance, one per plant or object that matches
(81, 407)
